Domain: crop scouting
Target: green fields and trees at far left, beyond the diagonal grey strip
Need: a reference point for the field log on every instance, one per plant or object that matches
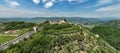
(10, 30)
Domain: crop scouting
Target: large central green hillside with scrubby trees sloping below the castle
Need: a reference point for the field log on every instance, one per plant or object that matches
(62, 38)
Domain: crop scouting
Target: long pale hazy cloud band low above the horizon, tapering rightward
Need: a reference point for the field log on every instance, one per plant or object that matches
(14, 12)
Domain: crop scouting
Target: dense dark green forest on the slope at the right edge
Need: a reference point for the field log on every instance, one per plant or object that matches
(109, 34)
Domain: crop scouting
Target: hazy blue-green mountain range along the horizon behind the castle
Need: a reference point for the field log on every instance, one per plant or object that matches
(70, 19)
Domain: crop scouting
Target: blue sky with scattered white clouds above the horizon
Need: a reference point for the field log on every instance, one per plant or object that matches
(60, 8)
